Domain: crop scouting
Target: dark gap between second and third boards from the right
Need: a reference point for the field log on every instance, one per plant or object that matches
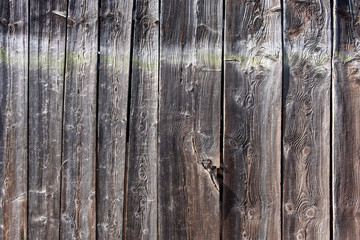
(282, 121)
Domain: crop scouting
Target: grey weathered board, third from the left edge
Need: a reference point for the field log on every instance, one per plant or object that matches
(78, 166)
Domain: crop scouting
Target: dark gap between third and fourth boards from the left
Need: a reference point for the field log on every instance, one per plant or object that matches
(97, 119)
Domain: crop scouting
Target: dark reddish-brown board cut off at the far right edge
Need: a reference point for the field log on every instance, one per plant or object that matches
(346, 123)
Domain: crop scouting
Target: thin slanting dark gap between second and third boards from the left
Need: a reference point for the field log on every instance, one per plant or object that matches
(63, 116)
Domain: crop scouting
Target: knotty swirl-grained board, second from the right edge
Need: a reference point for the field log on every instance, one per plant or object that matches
(306, 119)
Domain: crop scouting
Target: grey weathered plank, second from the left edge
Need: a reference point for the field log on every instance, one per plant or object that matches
(46, 77)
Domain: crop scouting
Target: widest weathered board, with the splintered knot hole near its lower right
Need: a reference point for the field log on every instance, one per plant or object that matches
(189, 119)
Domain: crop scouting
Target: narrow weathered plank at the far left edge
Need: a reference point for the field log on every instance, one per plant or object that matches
(13, 118)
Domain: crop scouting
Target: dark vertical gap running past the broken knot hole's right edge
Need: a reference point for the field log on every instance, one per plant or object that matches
(220, 172)
